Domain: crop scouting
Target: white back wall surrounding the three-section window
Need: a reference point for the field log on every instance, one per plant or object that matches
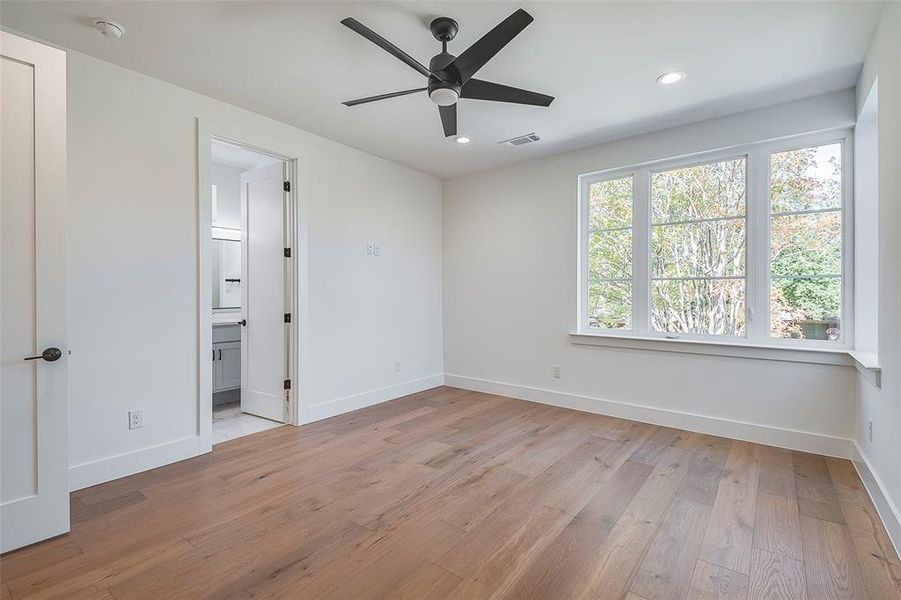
(510, 249)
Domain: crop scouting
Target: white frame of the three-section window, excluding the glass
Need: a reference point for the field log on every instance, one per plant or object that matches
(757, 242)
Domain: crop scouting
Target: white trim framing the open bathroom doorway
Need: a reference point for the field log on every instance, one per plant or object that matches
(295, 277)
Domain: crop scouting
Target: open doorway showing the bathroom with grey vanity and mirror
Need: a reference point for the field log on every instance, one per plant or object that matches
(251, 303)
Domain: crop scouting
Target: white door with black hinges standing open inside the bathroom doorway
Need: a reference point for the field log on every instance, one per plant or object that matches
(263, 364)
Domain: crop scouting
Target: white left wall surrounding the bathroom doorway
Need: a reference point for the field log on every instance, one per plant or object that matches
(133, 268)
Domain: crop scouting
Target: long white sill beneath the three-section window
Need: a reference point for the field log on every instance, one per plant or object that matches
(823, 356)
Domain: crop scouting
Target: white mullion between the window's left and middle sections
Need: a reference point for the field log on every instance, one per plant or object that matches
(641, 222)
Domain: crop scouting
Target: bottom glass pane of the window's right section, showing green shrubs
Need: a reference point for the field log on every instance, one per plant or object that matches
(806, 308)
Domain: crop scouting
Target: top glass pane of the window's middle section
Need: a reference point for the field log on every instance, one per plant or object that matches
(699, 192)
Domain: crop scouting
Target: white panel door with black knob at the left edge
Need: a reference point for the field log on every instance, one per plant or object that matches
(34, 485)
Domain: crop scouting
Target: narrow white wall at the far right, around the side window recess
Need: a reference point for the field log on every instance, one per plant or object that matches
(879, 460)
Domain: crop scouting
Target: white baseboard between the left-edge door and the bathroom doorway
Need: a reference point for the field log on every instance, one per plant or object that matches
(129, 463)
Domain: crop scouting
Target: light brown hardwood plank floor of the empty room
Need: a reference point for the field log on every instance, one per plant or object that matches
(456, 494)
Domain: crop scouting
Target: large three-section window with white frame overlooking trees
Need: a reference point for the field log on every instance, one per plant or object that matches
(746, 246)
